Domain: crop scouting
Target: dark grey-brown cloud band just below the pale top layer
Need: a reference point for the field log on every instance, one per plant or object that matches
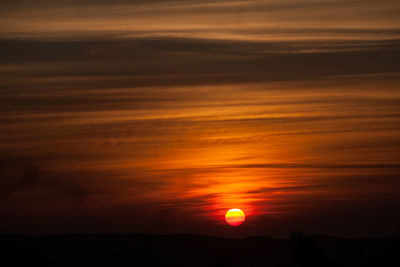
(177, 61)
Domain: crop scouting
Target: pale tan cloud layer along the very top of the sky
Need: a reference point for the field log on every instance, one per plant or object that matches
(261, 20)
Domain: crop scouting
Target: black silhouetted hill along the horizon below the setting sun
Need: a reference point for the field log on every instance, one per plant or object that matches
(196, 250)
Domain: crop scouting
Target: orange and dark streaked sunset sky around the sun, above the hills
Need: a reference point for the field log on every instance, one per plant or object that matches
(159, 116)
